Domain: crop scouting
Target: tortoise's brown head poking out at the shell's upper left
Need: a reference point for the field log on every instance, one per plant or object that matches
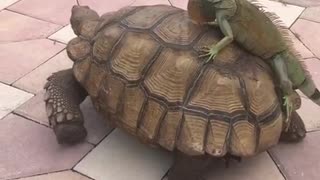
(81, 14)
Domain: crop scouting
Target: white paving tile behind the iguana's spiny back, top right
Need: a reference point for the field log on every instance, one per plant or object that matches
(287, 13)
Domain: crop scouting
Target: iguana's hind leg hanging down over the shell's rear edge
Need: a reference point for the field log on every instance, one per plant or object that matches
(281, 71)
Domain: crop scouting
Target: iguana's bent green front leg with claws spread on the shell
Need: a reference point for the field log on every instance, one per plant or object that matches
(226, 30)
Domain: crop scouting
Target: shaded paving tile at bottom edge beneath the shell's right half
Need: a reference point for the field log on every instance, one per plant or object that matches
(260, 167)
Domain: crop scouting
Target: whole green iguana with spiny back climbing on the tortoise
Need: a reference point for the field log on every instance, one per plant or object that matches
(262, 34)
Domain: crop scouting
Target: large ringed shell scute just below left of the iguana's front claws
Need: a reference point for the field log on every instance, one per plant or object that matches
(171, 75)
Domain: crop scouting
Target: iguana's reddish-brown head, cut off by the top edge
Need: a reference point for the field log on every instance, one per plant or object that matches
(202, 11)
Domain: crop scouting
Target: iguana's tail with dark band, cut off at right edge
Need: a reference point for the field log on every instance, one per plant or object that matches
(309, 89)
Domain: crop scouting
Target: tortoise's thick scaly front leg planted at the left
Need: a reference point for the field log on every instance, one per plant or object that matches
(63, 97)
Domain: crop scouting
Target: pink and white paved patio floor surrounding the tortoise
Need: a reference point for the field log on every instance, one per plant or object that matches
(33, 37)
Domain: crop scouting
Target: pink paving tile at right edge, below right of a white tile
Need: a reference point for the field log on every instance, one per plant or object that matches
(307, 32)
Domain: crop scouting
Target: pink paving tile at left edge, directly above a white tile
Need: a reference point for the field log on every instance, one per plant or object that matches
(19, 58)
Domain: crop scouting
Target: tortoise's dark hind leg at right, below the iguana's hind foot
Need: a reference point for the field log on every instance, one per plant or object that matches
(296, 131)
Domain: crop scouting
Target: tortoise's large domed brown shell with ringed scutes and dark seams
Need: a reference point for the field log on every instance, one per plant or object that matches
(145, 76)
